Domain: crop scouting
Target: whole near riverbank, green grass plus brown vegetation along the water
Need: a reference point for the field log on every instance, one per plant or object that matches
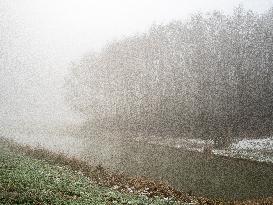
(38, 176)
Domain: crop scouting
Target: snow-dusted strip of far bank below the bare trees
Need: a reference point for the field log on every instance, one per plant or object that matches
(254, 149)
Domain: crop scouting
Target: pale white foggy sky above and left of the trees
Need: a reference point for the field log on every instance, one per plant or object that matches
(49, 34)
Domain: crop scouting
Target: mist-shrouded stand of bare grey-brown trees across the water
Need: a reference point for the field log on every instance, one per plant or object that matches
(208, 77)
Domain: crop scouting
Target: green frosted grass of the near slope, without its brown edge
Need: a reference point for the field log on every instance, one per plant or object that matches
(25, 180)
